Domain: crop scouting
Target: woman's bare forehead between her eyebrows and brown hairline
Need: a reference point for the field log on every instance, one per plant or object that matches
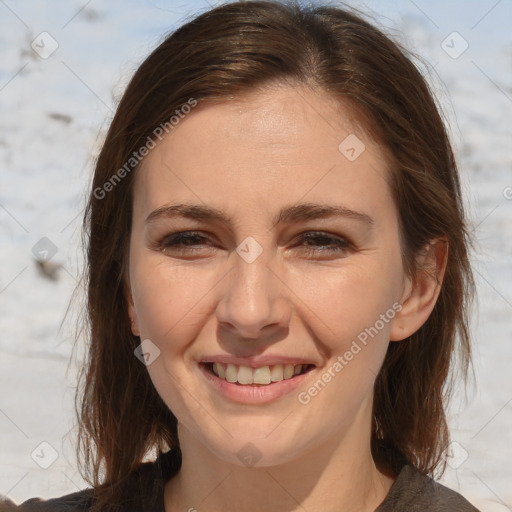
(268, 146)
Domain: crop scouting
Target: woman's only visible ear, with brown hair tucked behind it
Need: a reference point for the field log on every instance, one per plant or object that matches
(421, 290)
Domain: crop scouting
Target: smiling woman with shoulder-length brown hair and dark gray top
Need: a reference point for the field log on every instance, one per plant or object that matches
(277, 275)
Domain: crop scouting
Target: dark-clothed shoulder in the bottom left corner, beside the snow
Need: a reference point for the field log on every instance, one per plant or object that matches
(77, 502)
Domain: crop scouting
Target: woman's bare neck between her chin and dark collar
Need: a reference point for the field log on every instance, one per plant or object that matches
(339, 477)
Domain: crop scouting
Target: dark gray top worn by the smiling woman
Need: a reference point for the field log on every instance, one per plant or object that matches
(411, 492)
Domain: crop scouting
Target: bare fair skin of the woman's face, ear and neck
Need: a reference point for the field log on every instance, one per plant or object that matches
(251, 157)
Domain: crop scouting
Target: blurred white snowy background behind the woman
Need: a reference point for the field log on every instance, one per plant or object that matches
(52, 110)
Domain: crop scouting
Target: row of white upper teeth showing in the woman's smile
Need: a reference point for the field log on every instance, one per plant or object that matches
(262, 376)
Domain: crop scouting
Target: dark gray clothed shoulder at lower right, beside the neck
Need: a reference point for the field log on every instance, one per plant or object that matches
(415, 492)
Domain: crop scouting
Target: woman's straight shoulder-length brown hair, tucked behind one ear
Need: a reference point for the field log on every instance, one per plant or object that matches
(237, 48)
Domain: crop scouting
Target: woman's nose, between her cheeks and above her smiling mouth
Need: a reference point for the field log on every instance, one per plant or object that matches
(255, 305)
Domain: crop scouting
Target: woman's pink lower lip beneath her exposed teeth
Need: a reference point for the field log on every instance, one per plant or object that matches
(253, 394)
